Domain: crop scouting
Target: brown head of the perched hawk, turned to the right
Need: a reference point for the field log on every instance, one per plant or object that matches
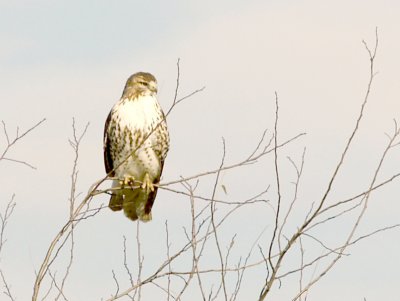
(140, 83)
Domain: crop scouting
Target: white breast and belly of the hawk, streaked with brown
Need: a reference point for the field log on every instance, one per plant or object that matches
(138, 130)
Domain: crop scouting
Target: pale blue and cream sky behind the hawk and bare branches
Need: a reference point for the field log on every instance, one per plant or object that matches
(65, 59)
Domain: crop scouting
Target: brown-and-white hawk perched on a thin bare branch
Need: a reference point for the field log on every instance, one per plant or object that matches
(136, 142)
